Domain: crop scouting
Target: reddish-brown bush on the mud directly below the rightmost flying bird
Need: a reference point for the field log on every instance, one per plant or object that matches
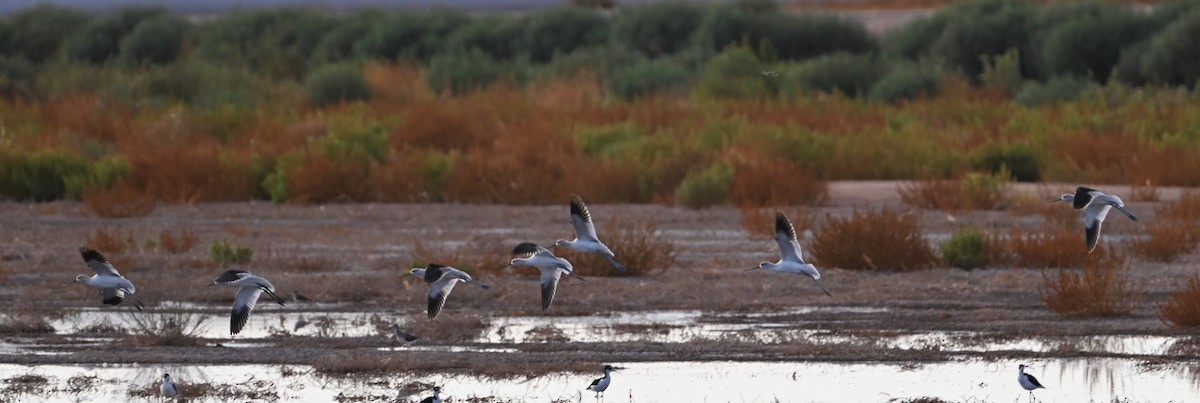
(1102, 288)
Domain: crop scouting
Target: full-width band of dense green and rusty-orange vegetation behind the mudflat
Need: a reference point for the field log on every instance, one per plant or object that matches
(668, 103)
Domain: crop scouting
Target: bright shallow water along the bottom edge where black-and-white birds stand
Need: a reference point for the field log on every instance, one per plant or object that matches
(1067, 381)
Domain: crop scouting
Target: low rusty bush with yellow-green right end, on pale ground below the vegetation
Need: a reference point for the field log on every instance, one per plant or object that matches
(973, 191)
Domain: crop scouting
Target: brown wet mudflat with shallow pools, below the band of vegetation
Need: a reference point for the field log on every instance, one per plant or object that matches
(703, 330)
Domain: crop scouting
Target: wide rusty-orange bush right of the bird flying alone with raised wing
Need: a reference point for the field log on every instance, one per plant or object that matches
(875, 240)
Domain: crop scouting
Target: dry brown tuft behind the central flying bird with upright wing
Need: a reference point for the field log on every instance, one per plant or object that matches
(639, 246)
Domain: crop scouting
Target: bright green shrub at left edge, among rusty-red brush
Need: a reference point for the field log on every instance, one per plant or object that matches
(43, 175)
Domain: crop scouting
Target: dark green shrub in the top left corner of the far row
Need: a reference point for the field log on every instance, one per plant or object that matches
(38, 32)
